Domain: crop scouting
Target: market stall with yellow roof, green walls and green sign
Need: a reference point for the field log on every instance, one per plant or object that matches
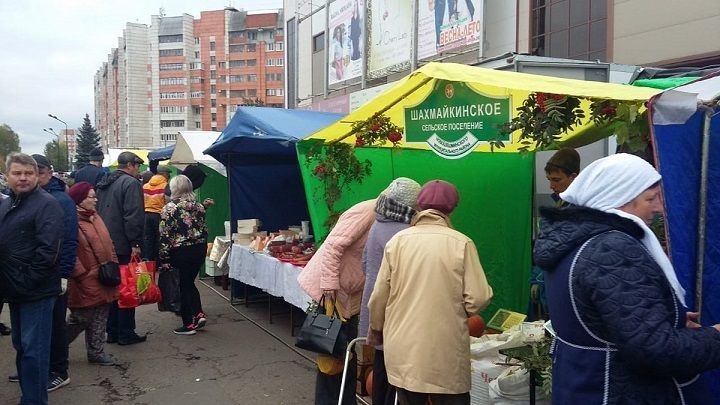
(442, 121)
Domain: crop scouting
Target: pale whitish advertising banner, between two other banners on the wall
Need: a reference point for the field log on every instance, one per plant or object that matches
(390, 22)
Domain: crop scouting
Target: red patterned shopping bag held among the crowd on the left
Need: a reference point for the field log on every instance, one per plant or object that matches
(137, 285)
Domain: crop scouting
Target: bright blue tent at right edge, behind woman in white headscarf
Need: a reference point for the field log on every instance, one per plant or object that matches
(682, 121)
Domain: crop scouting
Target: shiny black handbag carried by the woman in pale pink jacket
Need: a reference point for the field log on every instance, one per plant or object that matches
(322, 333)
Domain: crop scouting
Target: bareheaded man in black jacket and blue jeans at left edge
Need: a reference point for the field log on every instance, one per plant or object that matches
(30, 236)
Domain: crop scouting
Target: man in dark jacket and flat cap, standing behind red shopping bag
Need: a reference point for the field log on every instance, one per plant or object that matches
(120, 204)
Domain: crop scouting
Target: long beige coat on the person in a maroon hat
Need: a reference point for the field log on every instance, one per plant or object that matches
(430, 281)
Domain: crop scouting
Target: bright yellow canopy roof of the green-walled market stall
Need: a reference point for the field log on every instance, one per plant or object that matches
(416, 87)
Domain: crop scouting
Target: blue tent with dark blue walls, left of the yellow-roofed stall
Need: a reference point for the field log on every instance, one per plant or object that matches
(258, 150)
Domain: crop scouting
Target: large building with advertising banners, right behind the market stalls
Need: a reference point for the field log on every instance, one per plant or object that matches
(343, 54)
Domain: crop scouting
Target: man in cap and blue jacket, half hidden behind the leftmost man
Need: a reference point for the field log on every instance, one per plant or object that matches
(66, 264)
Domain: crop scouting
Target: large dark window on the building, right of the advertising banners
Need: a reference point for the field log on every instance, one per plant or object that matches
(575, 29)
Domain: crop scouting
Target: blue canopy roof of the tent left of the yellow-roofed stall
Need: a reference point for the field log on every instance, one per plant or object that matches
(265, 131)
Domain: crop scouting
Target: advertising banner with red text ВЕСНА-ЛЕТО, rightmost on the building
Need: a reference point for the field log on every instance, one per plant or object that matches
(444, 25)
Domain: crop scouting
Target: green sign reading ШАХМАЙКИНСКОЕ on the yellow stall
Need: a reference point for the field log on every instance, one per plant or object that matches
(454, 118)
